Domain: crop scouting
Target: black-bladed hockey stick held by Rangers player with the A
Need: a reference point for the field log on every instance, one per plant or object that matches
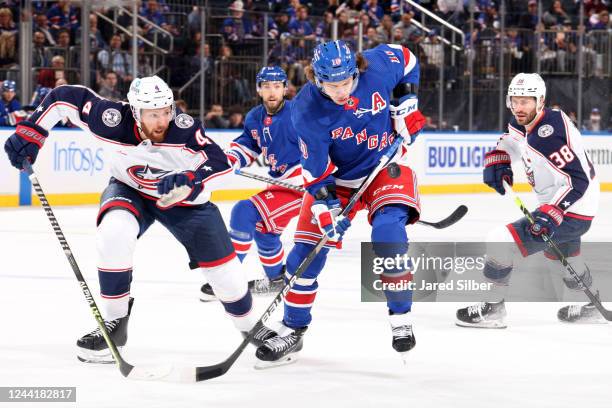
(208, 372)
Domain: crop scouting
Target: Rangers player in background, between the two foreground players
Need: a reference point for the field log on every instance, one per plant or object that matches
(268, 131)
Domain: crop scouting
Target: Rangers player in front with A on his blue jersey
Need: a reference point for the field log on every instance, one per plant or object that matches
(346, 117)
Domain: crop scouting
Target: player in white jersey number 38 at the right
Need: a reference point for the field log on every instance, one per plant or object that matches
(564, 180)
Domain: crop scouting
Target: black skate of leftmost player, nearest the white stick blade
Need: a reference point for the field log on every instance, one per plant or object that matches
(92, 347)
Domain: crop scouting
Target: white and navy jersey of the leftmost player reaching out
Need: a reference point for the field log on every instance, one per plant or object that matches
(136, 162)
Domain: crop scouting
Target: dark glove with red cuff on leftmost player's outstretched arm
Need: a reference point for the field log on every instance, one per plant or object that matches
(25, 143)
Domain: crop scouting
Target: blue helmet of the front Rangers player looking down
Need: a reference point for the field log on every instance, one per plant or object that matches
(334, 61)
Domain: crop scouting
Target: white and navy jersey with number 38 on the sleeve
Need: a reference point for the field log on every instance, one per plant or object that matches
(555, 161)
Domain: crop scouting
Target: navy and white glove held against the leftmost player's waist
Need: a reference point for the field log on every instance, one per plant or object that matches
(179, 187)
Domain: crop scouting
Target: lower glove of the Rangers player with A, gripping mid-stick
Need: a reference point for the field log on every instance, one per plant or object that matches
(325, 210)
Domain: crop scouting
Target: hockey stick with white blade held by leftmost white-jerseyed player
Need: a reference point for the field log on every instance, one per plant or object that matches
(127, 370)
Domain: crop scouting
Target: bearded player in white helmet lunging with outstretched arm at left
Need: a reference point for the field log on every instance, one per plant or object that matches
(163, 169)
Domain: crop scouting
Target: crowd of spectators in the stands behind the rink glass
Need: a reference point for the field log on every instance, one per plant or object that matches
(235, 30)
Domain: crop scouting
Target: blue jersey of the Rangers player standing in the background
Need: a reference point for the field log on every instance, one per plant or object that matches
(274, 137)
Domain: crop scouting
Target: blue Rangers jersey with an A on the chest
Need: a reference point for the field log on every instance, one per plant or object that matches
(349, 140)
